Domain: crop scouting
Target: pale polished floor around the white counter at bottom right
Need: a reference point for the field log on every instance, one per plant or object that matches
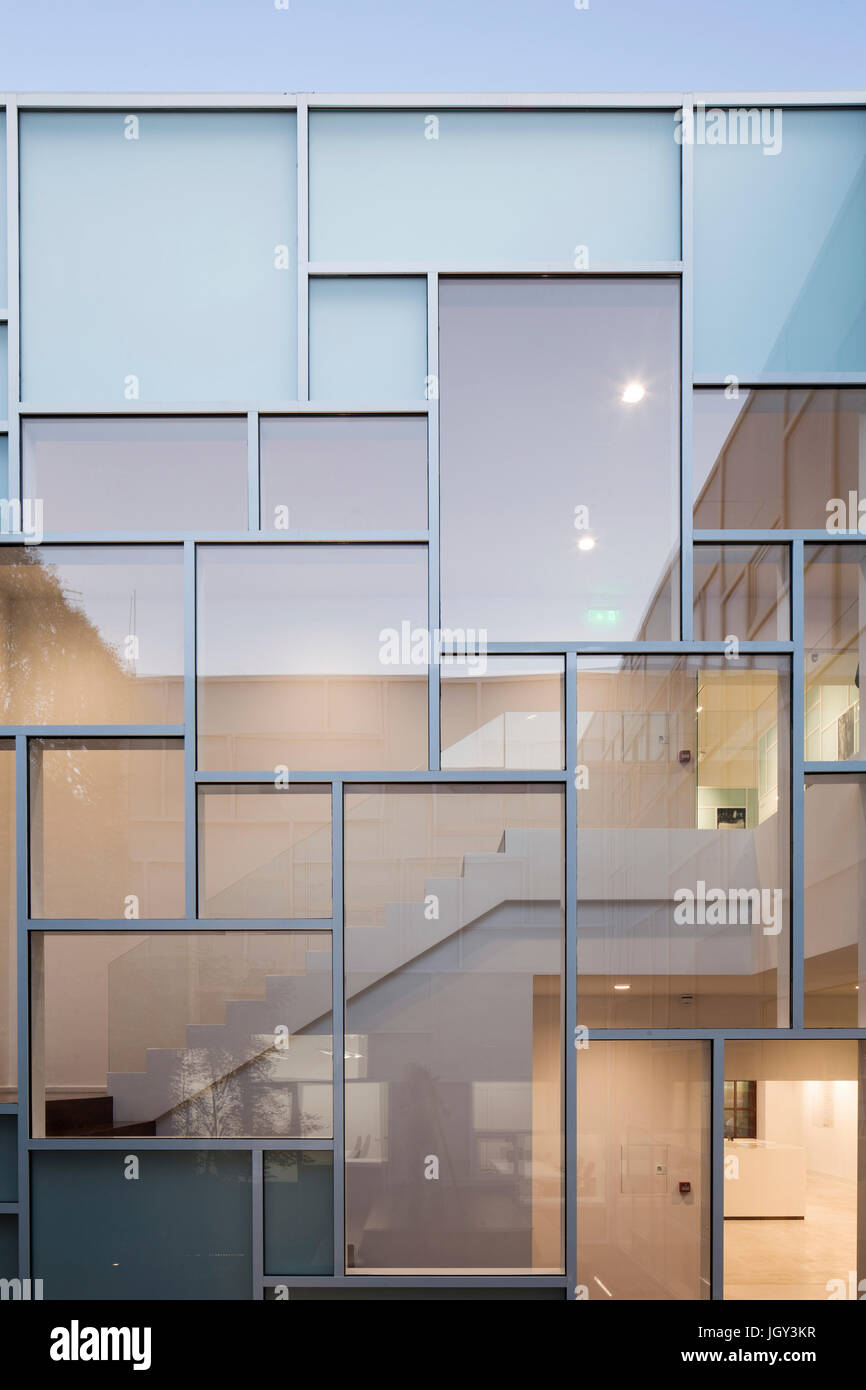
(794, 1259)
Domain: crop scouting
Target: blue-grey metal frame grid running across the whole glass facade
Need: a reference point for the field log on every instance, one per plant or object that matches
(305, 106)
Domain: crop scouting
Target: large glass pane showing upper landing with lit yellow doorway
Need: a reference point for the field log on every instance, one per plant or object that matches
(683, 843)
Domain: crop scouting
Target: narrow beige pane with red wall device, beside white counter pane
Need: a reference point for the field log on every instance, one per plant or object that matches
(644, 1171)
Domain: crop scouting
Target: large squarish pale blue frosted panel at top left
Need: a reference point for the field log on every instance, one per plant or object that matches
(169, 258)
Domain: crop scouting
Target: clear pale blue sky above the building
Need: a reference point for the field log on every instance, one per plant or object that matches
(432, 45)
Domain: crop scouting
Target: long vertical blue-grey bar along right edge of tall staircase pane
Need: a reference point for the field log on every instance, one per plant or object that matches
(571, 970)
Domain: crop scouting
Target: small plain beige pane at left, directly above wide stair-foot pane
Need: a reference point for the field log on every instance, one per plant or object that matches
(108, 829)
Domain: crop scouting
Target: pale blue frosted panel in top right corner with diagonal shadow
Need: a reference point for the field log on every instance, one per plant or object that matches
(781, 227)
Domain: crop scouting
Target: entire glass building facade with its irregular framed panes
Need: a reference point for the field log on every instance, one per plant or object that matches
(432, 611)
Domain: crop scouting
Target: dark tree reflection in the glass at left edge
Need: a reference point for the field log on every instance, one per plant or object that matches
(52, 655)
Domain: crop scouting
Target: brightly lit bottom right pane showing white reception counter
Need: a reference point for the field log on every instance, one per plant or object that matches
(790, 1195)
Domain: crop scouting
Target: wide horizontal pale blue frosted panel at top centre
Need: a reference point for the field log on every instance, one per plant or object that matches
(494, 187)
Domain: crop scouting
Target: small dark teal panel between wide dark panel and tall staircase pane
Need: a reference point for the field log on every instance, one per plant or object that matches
(298, 1213)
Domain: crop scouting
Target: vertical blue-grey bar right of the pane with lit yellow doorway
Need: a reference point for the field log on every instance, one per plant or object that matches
(799, 786)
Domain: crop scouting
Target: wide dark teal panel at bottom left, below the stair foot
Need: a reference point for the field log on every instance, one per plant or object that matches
(181, 1229)
